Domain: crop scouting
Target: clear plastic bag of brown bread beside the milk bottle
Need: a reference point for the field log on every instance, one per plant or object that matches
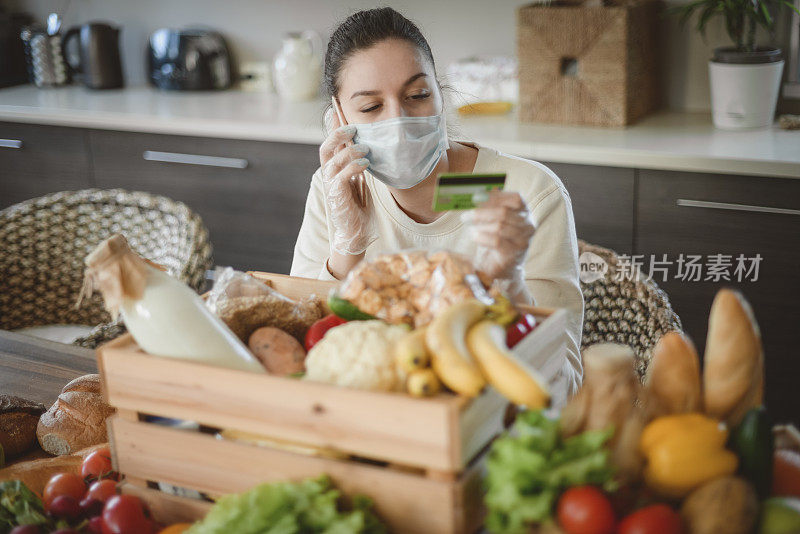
(246, 304)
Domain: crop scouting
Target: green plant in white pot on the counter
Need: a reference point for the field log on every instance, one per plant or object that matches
(745, 78)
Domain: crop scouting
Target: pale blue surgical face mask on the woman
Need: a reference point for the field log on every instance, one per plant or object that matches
(403, 151)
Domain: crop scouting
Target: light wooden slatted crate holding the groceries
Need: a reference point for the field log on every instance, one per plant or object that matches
(420, 460)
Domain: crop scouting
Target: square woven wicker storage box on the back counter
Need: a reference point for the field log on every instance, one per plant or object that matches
(587, 65)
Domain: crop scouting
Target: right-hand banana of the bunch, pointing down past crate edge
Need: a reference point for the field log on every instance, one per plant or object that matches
(508, 374)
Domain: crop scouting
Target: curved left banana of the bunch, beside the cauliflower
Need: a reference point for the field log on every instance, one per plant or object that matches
(446, 340)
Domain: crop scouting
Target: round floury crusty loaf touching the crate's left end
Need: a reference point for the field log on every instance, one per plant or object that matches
(77, 419)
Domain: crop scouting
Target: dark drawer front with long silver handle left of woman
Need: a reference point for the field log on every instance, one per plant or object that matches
(250, 194)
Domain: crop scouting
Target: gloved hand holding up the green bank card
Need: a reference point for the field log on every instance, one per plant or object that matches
(502, 228)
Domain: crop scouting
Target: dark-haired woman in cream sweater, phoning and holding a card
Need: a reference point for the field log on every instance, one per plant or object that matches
(380, 69)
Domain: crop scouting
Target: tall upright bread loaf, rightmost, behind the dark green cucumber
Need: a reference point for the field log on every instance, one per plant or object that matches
(733, 376)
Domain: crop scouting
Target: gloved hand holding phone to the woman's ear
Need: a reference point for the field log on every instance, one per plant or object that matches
(353, 224)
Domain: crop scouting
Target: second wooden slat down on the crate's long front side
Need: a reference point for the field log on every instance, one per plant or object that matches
(407, 502)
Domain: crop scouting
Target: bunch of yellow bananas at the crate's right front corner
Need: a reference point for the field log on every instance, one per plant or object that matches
(465, 348)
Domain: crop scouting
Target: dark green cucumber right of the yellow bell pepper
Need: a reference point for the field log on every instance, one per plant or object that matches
(754, 443)
